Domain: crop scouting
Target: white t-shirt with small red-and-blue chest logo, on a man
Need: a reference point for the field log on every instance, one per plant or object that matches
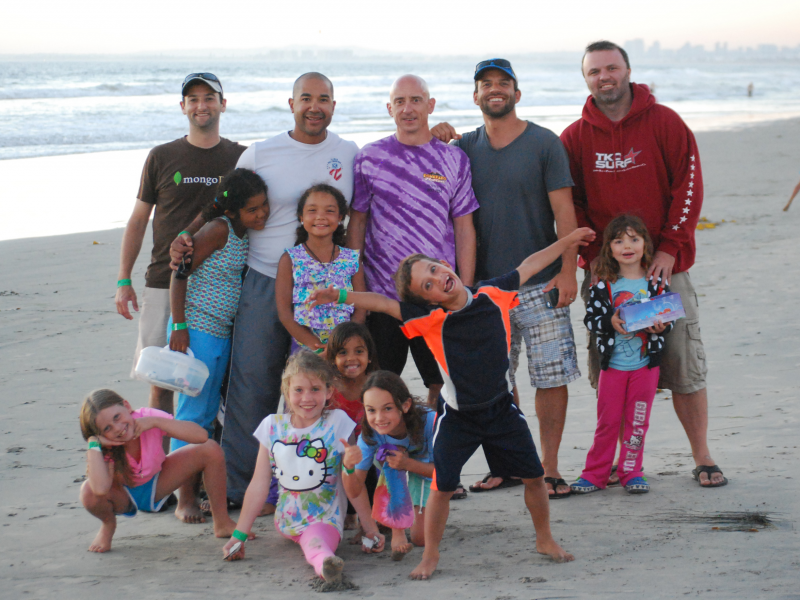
(289, 168)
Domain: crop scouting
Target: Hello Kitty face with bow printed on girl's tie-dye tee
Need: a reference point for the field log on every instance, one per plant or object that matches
(300, 467)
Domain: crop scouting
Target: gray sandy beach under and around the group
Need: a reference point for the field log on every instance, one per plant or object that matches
(60, 337)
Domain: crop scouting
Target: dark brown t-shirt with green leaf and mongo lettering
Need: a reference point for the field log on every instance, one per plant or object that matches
(180, 179)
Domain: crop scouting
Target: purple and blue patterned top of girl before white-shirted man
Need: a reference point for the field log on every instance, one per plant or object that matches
(309, 274)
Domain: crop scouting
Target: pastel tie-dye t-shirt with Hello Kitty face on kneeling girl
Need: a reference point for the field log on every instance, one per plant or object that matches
(308, 465)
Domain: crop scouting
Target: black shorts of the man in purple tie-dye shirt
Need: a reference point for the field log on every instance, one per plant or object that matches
(393, 346)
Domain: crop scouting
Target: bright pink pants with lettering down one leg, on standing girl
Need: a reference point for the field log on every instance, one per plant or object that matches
(623, 396)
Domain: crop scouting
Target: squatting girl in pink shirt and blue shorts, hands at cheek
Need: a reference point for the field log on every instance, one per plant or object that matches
(127, 469)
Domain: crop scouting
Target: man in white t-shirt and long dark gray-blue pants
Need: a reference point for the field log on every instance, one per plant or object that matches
(289, 163)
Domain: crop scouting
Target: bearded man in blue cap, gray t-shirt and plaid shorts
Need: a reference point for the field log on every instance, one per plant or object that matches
(521, 178)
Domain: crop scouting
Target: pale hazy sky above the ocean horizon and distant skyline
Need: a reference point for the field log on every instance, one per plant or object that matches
(418, 26)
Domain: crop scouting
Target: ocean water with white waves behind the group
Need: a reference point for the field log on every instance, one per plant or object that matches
(56, 107)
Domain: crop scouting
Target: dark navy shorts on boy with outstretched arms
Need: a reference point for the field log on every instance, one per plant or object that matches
(502, 431)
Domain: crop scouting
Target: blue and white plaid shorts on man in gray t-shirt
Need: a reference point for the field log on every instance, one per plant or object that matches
(552, 360)
